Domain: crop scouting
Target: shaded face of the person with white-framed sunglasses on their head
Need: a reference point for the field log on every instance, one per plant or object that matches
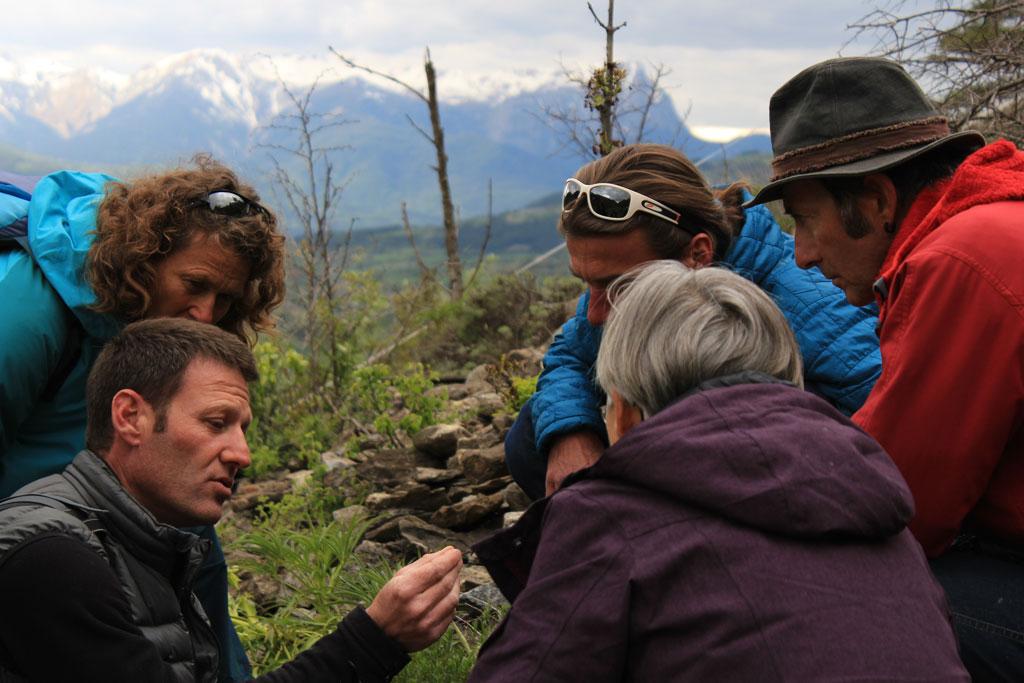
(599, 261)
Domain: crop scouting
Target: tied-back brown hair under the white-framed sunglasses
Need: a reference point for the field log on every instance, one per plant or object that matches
(667, 176)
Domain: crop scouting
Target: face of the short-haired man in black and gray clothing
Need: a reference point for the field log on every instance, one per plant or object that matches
(184, 474)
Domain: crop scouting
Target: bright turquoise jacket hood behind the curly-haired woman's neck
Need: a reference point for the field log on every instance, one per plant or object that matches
(62, 223)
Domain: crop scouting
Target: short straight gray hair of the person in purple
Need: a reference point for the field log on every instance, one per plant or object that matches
(672, 328)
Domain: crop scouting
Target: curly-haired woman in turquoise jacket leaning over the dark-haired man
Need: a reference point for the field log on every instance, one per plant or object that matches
(94, 254)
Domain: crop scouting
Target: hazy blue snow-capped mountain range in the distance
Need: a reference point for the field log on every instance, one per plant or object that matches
(210, 101)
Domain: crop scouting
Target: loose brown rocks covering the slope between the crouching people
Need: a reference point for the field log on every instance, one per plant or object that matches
(448, 487)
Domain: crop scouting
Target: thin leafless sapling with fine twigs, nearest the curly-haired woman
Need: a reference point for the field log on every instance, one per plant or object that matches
(313, 195)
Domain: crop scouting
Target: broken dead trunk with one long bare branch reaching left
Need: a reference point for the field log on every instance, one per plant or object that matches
(437, 139)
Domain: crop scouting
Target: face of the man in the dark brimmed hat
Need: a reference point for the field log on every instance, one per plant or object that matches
(852, 265)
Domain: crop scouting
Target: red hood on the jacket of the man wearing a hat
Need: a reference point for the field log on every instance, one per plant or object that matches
(995, 174)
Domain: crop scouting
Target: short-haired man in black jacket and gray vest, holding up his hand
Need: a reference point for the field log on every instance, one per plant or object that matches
(96, 573)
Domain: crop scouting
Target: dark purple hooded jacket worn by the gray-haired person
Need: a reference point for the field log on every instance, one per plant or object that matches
(746, 533)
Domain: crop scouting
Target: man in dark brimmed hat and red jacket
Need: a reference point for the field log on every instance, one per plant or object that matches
(894, 208)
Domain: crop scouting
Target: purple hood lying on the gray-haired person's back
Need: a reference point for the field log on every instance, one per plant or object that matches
(767, 456)
